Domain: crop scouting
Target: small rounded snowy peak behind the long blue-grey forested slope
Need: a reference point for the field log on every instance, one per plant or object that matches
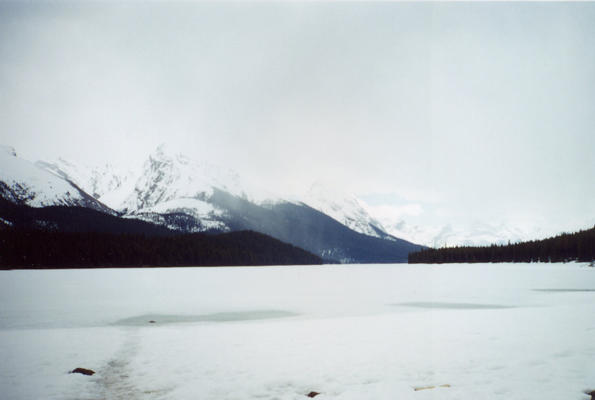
(345, 208)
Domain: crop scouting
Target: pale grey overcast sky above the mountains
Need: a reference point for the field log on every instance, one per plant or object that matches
(475, 111)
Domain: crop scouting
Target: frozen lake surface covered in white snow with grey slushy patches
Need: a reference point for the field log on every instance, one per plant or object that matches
(501, 331)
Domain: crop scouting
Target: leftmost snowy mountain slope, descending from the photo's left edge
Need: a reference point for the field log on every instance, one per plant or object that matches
(23, 182)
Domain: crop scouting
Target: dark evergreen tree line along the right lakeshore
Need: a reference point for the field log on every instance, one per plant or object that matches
(579, 246)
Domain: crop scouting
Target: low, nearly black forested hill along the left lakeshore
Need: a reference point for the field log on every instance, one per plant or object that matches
(46, 249)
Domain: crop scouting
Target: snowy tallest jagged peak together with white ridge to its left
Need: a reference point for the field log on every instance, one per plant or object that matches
(168, 182)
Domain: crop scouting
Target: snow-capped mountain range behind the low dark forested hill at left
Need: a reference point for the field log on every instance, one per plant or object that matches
(176, 193)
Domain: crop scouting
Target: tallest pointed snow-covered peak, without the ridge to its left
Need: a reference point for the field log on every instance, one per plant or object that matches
(177, 191)
